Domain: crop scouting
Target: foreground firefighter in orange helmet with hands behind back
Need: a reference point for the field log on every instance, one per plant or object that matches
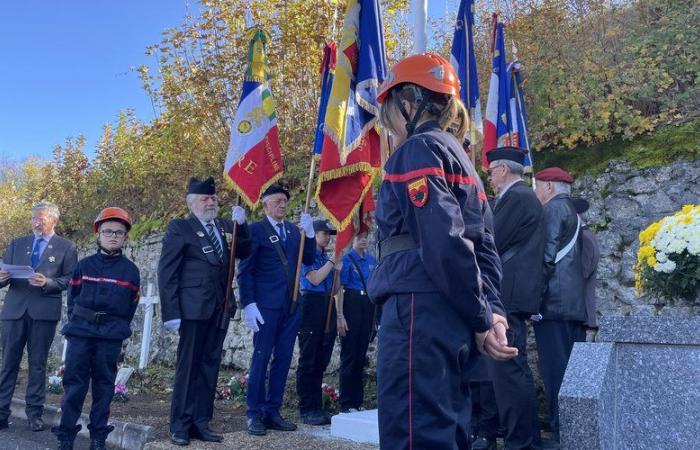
(439, 306)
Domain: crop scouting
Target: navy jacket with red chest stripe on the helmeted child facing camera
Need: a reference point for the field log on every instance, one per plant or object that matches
(103, 283)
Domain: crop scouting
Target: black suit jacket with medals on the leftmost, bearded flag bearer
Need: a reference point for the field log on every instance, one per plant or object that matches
(191, 277)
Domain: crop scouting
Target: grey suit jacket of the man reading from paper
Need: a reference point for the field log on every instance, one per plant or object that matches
(57, 264)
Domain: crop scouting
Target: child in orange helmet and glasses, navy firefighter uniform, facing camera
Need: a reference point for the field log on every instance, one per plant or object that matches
(102, 300)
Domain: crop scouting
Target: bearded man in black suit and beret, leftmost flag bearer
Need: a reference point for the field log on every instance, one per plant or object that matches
(192, 277)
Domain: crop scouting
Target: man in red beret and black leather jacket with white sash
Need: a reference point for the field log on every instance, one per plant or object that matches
(563, 307)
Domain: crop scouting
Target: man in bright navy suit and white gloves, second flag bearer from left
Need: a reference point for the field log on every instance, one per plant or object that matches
(266, 282)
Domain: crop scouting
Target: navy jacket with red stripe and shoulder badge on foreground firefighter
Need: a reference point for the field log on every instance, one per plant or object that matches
(432, 192)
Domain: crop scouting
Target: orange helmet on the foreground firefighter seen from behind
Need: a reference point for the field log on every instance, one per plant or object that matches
(428, 70)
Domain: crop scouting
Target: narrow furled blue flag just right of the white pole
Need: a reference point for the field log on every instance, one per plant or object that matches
(464, 61)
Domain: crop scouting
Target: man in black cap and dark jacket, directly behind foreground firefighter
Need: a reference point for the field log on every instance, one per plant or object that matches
(519, 230)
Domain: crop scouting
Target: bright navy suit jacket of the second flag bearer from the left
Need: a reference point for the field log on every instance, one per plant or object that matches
(261, 276)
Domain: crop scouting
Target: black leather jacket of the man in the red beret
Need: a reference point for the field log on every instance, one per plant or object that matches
(563, 280)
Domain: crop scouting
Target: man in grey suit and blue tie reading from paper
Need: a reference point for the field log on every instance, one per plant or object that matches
(32, 308)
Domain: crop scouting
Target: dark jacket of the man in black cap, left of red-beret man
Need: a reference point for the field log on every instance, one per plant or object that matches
(520, 242)
